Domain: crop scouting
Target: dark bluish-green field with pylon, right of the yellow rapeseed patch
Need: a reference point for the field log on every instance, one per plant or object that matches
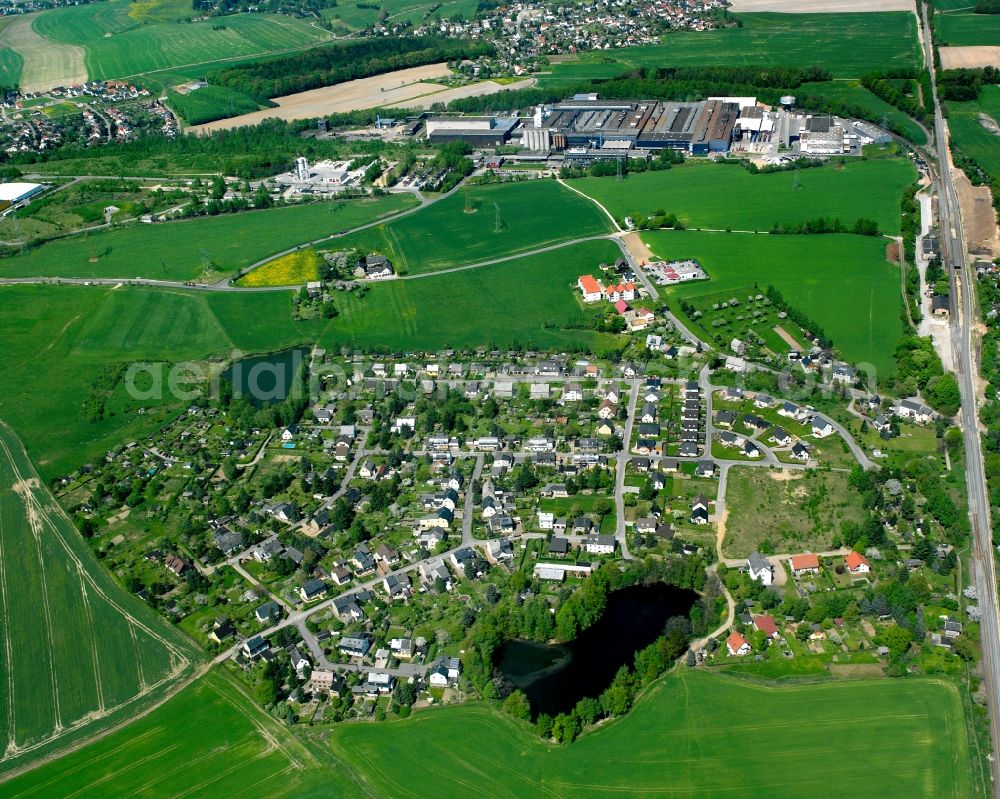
(462, 228)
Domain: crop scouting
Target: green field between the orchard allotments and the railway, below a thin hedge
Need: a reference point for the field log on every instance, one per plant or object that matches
(842, 282)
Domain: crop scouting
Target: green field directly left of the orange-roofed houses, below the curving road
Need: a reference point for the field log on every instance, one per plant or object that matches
(528, 301)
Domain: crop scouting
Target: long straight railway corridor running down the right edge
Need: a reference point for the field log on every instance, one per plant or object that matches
(963, 285)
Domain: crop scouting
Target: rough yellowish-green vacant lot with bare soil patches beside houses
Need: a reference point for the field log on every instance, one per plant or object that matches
(786, 511)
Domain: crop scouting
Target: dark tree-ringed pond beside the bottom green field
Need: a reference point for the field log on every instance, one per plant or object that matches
(555, 678)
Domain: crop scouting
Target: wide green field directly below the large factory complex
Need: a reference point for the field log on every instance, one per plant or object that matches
(865, 189)
